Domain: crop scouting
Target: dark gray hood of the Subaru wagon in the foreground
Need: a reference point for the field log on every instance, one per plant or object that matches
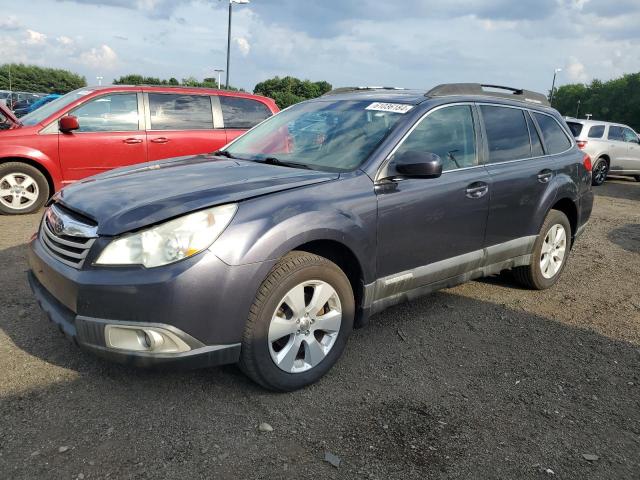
(134, 197)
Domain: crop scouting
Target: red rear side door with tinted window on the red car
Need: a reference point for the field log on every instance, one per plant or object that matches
(182, 124)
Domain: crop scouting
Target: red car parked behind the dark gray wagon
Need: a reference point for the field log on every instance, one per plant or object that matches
(92, 130)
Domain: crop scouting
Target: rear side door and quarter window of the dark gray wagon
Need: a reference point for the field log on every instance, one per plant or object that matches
(521, 175)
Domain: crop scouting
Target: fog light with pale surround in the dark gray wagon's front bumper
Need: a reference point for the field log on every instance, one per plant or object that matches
(143, 339)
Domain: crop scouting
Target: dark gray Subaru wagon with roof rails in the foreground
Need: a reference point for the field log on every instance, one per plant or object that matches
(269, 251)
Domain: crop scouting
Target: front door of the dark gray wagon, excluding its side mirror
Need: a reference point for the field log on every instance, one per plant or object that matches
(432, 229)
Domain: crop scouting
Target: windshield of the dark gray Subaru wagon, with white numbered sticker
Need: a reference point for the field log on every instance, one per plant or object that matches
(322, 135)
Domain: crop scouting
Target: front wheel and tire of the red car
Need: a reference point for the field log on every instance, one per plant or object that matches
(15, 198)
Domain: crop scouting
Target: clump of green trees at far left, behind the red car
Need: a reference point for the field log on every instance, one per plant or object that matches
(31, 78)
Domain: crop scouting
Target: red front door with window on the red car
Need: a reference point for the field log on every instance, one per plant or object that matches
(110, 136)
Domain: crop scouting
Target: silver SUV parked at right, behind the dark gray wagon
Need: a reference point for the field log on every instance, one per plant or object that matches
(615, 148)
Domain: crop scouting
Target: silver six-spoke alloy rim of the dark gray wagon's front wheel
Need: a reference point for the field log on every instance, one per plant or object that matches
(305, 326)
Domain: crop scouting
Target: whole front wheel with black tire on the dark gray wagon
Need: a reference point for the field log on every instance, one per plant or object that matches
(271, 316)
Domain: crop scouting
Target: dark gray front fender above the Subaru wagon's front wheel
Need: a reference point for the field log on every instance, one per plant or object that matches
(267, 228)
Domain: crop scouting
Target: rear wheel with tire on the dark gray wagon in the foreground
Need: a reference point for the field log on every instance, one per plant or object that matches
(533, 275)
